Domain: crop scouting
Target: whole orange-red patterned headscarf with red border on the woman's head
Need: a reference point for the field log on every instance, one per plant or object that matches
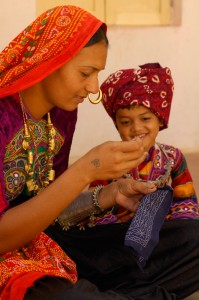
(45, 45)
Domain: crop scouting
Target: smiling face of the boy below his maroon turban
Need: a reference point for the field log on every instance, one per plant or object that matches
(138, 121)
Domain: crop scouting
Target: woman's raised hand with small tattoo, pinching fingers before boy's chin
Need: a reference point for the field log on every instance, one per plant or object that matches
(111, 159)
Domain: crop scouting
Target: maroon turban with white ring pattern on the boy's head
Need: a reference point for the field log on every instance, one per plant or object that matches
(150, 85)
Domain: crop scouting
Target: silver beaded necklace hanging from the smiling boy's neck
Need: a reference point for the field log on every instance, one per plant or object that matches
(162, 179)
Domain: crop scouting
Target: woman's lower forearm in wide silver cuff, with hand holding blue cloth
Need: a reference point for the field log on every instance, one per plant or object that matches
(124, 192)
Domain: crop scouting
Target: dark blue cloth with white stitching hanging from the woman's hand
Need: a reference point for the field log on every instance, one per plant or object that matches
(143, 232)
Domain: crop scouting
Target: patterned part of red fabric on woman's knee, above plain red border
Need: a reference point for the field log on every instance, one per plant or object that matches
(42, 255)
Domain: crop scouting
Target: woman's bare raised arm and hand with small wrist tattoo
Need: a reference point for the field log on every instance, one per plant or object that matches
(20, 224)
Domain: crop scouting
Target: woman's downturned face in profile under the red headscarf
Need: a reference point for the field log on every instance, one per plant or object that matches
(68, 86)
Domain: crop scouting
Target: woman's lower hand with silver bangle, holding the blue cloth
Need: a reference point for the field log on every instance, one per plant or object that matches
(126, 193)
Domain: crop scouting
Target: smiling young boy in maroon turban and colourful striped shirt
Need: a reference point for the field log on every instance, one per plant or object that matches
(139, 103)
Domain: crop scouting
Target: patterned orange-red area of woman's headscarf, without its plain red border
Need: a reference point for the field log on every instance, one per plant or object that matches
(42, 40)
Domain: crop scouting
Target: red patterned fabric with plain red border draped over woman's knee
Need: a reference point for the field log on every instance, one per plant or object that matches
(21, 267)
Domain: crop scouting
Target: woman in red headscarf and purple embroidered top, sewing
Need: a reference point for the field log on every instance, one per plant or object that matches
(45, 73)
